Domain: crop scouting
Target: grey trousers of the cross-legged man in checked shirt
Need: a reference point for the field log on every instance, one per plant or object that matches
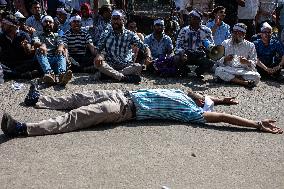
(132, 69)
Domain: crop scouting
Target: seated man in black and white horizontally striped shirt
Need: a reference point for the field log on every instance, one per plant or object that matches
(80, 46)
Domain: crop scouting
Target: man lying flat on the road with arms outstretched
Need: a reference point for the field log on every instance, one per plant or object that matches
(115, 106)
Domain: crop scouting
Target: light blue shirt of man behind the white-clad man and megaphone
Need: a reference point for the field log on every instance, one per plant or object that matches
(222, 32)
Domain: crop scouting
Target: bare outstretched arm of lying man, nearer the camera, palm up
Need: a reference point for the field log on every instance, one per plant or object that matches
(266, 125)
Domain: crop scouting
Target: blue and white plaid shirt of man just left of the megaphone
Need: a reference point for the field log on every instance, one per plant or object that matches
(189, 39)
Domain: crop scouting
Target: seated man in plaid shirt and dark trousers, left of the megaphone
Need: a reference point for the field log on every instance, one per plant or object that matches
(191, 42)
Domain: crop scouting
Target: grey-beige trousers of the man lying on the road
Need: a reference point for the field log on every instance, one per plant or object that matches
(86, 110)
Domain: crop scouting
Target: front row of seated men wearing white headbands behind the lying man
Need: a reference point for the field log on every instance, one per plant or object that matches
(117, 53)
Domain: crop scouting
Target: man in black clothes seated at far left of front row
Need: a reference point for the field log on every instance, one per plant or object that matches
(14, 42)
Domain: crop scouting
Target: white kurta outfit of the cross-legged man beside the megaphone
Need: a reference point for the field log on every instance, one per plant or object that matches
(235, 68)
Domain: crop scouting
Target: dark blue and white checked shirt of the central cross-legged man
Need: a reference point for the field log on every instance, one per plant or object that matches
(118, 47)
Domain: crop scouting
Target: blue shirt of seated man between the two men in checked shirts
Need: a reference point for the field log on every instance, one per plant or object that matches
(159, 48)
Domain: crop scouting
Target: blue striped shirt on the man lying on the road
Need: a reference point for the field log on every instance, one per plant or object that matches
(168, 104)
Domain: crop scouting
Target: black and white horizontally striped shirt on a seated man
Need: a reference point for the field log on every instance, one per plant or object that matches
(77, 42)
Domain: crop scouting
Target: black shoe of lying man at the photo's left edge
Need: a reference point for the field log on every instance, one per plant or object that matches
(11, 127)
